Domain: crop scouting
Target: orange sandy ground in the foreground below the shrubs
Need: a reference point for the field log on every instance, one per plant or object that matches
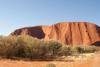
(93, 61)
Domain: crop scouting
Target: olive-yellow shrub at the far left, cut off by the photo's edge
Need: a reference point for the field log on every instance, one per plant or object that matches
(7, 46)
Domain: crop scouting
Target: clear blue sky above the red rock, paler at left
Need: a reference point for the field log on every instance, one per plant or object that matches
(16, 14)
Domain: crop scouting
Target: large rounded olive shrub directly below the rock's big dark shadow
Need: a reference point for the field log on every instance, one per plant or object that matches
(30, 47)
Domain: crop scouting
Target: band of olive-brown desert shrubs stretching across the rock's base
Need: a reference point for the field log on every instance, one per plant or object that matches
(25, 46)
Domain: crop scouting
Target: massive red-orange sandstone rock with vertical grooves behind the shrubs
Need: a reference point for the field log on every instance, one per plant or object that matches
(72, 33)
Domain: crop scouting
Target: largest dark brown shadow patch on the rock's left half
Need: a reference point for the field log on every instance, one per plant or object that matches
(36, 32)
